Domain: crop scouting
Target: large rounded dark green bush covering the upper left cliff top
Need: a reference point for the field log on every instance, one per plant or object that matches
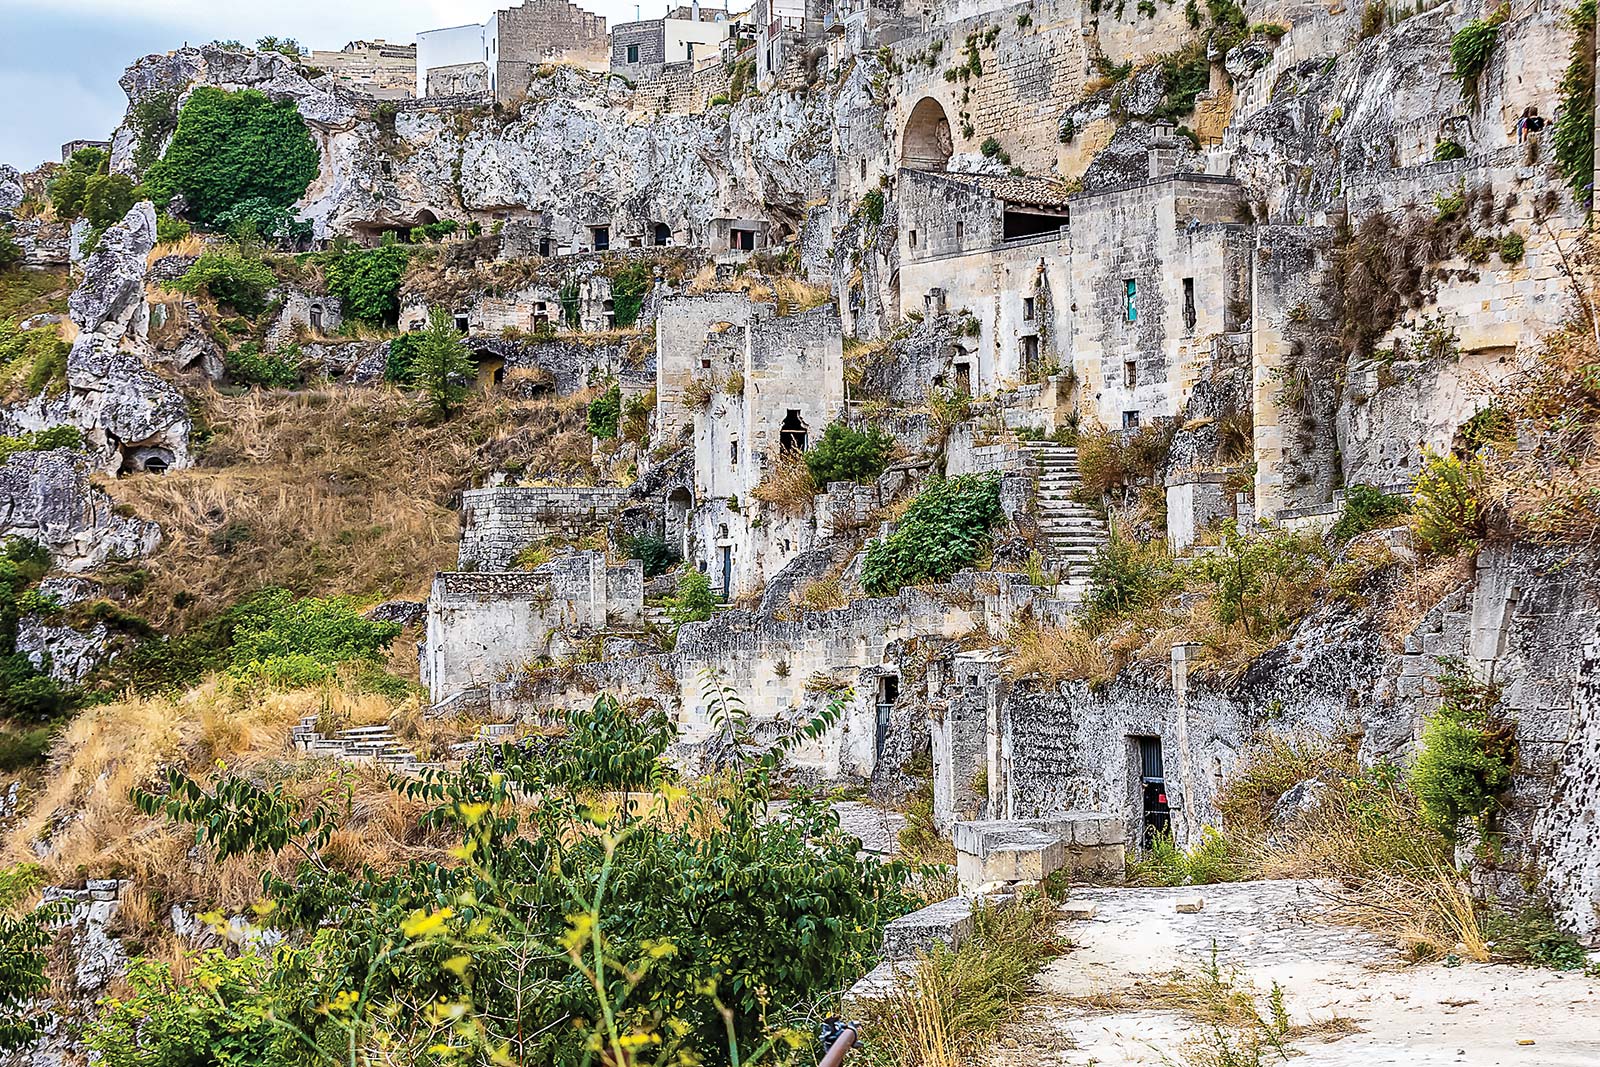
(233, 148)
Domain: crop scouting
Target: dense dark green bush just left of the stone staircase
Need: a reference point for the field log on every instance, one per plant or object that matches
(945, 530)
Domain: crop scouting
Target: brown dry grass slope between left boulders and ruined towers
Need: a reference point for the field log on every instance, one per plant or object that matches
(332, 492)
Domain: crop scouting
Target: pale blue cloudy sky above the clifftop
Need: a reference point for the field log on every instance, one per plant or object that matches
(60, 60)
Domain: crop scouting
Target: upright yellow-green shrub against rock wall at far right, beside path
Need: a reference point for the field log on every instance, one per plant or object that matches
(1468, 753)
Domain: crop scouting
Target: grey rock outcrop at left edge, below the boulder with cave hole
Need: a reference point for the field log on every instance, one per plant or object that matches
(47, 498)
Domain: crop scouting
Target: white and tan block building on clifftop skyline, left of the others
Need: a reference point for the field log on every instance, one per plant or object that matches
(500, 57)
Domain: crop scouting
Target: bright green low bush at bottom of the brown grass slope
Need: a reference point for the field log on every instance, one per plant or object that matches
(289, 641)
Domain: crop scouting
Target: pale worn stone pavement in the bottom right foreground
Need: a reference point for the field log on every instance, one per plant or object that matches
(1414, 1015)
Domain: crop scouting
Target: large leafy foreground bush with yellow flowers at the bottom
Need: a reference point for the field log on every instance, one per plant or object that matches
(682, 924)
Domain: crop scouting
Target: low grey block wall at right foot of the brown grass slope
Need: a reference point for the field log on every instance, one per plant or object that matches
(500, 522)
